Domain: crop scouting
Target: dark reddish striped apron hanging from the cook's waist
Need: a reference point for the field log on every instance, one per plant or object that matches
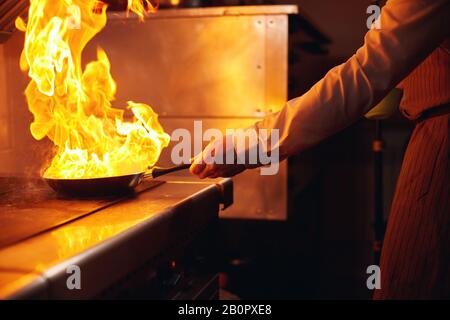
(415, 260)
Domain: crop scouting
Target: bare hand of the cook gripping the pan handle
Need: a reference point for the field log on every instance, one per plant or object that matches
(205, 164)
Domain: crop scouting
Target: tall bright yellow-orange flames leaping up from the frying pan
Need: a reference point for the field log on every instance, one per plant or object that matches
(72, 106)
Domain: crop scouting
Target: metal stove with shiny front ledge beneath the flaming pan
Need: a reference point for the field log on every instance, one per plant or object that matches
(108, 239)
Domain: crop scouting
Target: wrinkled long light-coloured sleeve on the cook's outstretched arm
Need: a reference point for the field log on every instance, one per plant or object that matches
(410, 31)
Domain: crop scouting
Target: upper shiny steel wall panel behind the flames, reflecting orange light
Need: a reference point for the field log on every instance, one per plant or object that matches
(220, 66)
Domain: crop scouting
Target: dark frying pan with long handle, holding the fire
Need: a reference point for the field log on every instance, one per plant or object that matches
(109, 185)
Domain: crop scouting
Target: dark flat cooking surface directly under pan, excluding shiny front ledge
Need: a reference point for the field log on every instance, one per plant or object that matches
(29, 207)
